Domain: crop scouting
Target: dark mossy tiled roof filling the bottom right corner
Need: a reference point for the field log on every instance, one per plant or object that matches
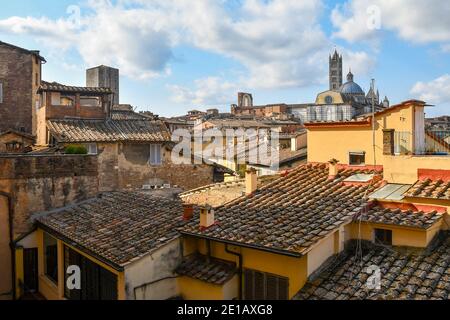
(410, 276)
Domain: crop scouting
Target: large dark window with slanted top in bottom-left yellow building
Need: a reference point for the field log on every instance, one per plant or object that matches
(97, 283)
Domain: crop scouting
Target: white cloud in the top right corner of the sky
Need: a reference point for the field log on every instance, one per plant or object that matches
(413, 20)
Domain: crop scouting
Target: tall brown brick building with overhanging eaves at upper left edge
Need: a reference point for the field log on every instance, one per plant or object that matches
(20, 76)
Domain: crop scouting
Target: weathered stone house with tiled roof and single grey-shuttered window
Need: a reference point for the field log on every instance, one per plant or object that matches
(133, 154)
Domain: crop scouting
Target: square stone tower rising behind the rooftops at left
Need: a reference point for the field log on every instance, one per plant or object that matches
(104, 77)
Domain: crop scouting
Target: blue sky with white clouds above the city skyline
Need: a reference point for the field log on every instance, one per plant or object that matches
(175, 55)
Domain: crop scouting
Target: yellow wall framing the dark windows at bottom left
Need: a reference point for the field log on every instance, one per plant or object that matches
(52, 291)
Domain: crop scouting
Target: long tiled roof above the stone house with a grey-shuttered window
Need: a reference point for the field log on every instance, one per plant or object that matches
(86, 130)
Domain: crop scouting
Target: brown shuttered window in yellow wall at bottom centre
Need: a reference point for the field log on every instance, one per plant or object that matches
(265, 286)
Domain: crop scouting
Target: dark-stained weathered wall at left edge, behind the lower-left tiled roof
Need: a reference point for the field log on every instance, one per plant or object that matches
(41, 183)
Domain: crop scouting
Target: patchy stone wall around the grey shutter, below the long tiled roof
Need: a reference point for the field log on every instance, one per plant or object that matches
(125, 166)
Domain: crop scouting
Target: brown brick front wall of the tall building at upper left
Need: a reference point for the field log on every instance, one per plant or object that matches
(16, 69)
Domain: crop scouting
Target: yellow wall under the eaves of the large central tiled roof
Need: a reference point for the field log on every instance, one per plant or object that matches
(290, 267)
